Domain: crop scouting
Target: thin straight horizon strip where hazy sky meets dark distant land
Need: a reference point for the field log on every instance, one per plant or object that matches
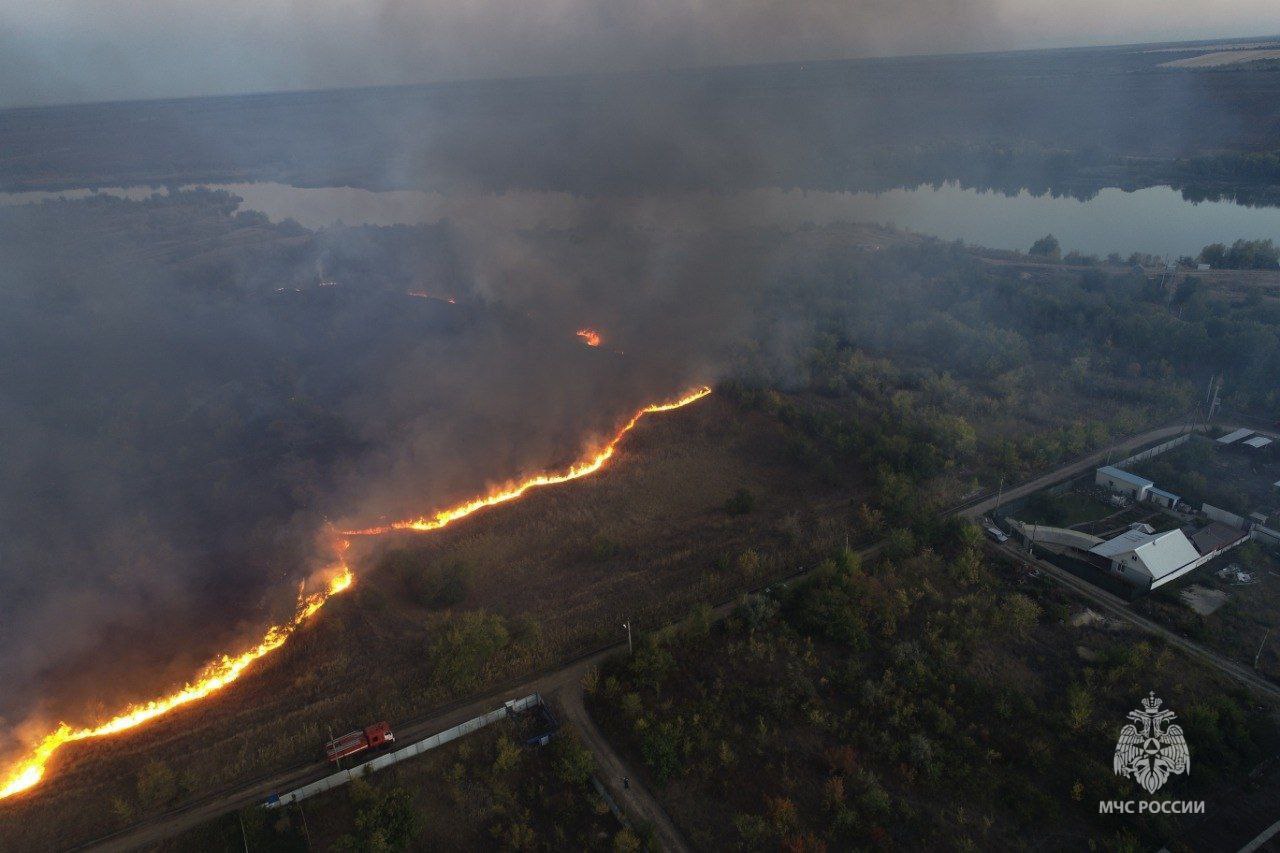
(634, 72)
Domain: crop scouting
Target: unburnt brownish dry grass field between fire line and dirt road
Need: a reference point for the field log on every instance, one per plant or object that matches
(525, 586)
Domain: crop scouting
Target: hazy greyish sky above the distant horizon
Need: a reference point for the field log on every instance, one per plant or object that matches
(86, 51)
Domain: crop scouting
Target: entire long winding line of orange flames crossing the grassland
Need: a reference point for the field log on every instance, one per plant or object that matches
(225, 670)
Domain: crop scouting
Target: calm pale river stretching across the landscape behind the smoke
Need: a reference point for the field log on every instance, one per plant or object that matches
(1150, 221)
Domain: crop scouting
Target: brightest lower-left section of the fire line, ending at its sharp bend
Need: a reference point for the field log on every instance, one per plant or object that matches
(214, 677)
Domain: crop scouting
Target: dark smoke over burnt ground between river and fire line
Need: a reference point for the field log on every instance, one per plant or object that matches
(190, 399)
